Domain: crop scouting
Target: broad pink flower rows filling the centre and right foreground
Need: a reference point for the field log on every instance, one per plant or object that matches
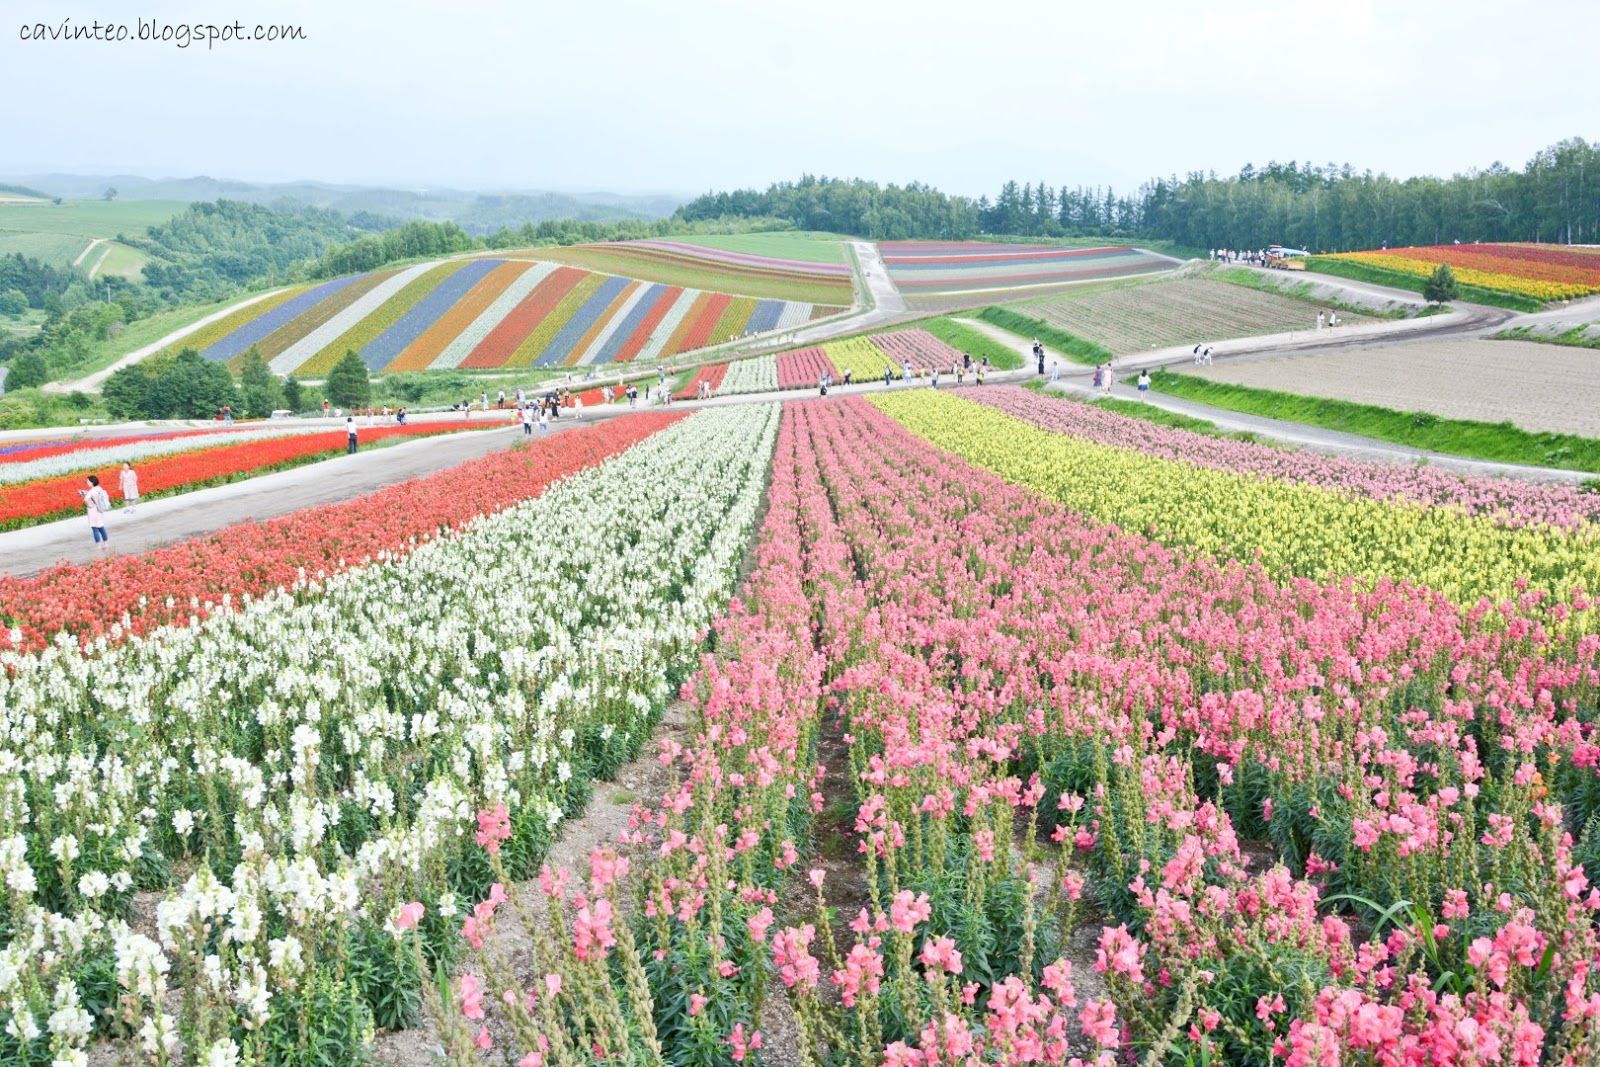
(977, 660)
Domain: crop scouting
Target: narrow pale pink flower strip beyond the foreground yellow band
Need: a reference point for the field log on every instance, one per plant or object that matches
(1513, 503)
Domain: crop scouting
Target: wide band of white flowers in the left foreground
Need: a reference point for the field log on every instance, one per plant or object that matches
(318, 756)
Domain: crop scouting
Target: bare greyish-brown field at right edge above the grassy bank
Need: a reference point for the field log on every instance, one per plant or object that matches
(1534, 386)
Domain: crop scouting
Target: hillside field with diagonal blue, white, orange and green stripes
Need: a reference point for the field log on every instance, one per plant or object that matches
(486, 314)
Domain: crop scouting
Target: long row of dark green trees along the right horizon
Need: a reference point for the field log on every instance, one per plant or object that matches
(1554, 198)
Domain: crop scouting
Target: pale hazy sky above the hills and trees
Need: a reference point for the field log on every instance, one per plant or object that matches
(641, 95)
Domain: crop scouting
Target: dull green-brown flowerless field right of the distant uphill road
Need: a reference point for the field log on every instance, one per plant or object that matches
(1175, 311)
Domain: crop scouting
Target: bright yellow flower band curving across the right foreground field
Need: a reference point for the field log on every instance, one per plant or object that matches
(1294, 530)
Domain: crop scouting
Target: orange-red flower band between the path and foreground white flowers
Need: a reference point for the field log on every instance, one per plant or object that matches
(170, 585)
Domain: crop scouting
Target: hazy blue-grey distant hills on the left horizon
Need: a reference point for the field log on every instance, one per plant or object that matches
(474, 212)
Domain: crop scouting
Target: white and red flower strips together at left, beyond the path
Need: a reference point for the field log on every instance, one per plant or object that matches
(178, 465)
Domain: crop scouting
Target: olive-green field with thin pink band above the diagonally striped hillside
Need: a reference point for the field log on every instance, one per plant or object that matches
(713, 270)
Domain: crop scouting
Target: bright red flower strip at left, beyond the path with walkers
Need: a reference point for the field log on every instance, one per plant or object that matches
(30, 503)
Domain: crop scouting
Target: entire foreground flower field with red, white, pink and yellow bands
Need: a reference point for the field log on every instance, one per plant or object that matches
(1034, 735)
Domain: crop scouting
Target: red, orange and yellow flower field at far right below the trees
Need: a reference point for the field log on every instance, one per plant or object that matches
(1542, 273)
